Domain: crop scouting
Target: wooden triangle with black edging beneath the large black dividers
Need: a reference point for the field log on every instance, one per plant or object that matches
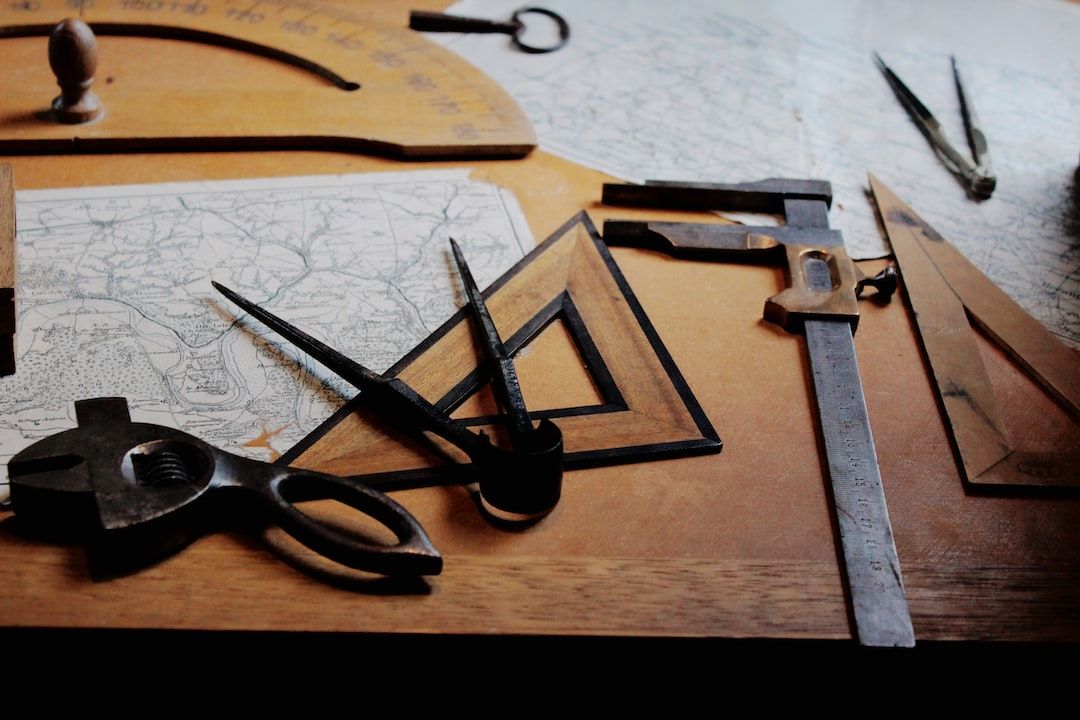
(646, 410)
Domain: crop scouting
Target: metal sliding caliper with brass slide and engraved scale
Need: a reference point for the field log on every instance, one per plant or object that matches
(821, 303)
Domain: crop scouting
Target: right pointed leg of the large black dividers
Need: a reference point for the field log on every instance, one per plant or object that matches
(507, 387)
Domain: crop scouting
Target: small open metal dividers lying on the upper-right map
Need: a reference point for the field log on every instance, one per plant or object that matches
(978, 178)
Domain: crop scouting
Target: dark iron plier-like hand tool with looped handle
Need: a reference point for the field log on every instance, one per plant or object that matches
(150, 488)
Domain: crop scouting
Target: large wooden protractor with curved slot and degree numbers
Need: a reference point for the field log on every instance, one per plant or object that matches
(329, 78)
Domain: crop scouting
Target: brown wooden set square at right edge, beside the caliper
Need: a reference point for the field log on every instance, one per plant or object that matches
(946, 291)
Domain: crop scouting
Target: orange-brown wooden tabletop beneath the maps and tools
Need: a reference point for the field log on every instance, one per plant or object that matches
(737, 545)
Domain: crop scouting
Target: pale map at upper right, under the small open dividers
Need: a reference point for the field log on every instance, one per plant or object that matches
(744, 91)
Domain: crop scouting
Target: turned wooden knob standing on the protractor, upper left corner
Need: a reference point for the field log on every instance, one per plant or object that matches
(73, 55)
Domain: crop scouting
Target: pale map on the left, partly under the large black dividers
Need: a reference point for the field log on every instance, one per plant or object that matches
(115, 295)
